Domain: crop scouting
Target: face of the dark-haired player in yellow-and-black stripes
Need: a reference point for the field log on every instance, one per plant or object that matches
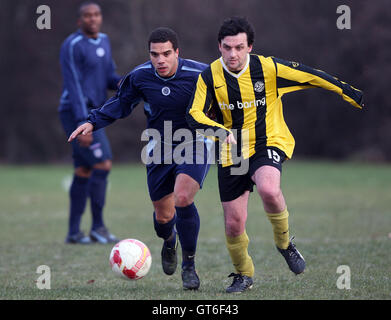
(234, 50)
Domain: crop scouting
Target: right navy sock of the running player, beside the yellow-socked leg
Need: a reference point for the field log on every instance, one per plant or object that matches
(188, 227)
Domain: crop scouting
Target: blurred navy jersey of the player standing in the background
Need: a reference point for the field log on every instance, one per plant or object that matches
(88, 71)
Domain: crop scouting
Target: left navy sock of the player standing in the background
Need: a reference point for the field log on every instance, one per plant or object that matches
(78, 194)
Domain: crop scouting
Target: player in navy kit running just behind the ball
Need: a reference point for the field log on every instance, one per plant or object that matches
(166, 84)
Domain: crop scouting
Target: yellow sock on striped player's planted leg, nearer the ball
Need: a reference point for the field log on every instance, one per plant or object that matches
(237, 248)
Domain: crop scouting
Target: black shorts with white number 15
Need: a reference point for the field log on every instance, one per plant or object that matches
(232, 186)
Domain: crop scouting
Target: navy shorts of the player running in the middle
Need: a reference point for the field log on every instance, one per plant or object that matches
(161, 177)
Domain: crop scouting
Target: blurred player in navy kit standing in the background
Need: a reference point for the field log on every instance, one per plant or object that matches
(88, 71)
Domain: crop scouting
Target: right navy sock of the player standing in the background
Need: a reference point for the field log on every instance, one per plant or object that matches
(97, 191)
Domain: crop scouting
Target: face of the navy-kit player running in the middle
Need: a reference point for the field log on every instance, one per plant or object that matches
(164, 58)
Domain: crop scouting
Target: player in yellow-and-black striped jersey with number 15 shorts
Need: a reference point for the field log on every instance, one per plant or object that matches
(243, 91)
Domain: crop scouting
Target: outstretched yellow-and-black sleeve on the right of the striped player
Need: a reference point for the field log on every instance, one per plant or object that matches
(292, 76)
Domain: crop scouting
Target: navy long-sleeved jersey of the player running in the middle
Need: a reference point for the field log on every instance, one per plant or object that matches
(165, 99)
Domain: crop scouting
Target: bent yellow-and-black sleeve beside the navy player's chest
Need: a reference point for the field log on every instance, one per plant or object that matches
(201, 102)
